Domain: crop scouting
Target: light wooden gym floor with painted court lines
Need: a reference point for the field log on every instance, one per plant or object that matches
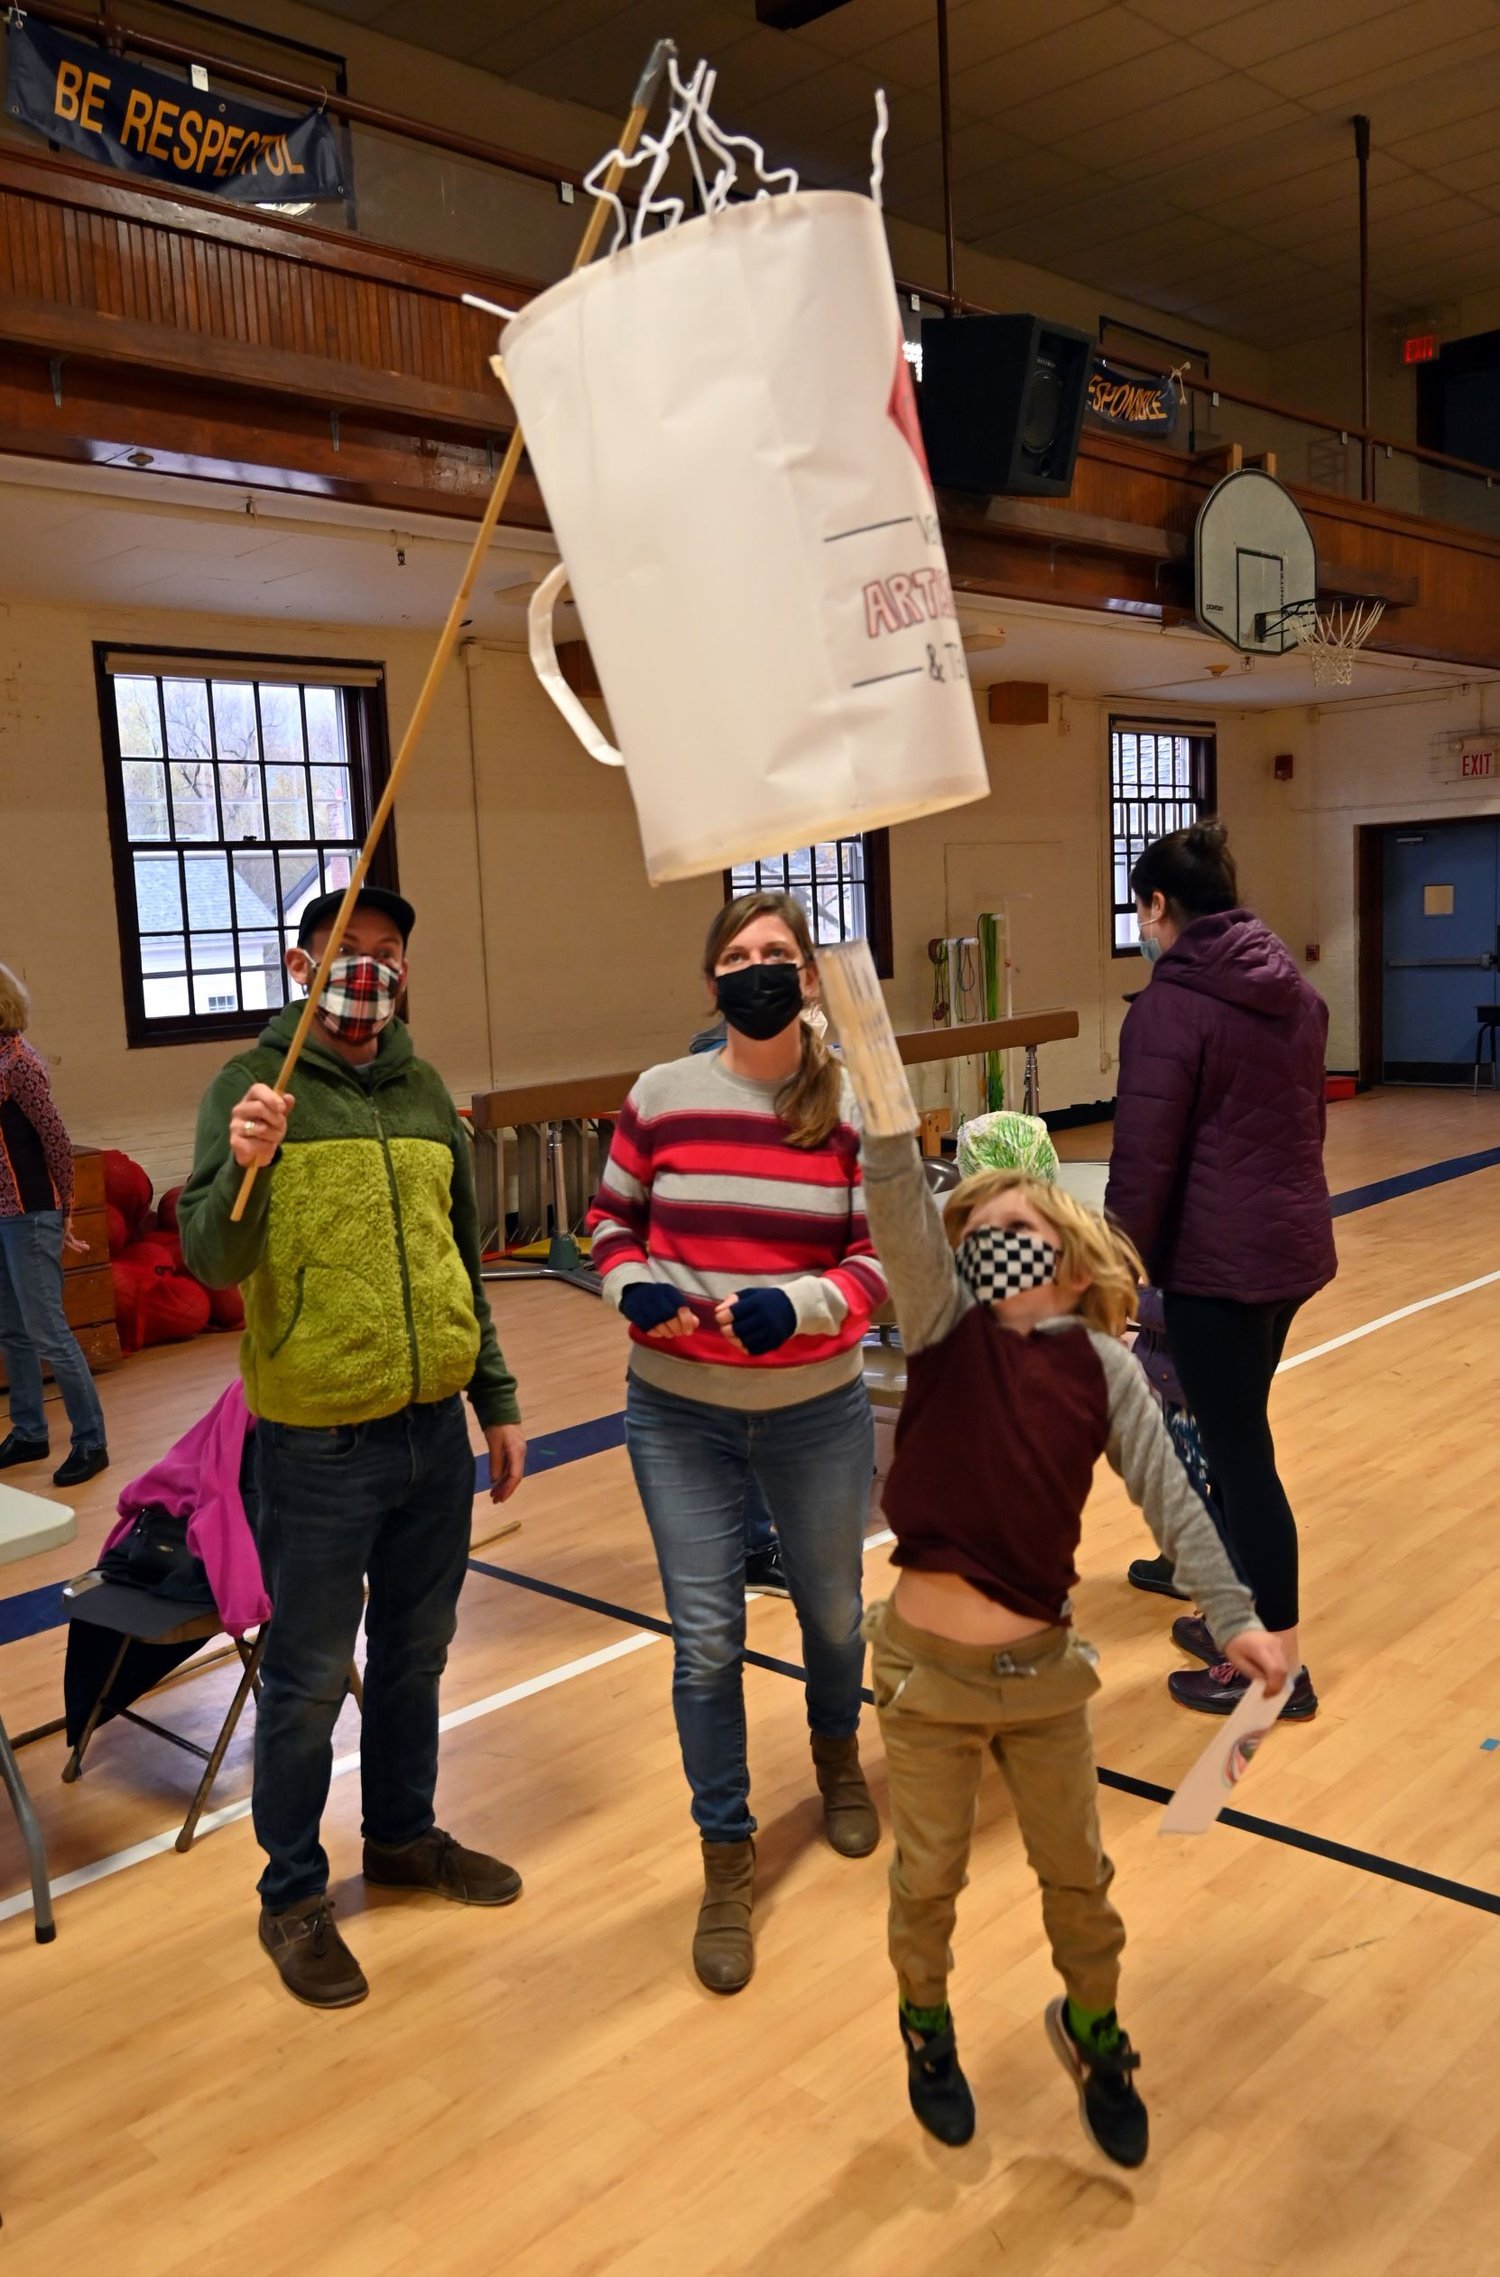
(550, 2094)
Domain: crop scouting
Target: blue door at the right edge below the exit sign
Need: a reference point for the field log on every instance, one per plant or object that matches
(1442, 930)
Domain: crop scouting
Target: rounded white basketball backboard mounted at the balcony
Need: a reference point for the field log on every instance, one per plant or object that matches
(1255, 566)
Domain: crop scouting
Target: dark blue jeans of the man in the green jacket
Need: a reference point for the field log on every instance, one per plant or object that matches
(390, 1502)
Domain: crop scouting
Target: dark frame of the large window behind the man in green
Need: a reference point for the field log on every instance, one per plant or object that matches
(370, 764)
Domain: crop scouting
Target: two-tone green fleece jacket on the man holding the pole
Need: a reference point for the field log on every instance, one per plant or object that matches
(358, 1251)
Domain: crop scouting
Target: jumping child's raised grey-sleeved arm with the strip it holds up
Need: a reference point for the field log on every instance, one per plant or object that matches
(903, 1213)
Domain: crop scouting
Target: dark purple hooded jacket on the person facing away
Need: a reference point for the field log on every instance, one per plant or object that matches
(1217, 1172)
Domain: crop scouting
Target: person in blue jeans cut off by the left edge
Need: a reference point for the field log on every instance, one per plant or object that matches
(35, 1235)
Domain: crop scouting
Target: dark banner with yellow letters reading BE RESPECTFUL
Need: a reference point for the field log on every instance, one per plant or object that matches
(145, 122)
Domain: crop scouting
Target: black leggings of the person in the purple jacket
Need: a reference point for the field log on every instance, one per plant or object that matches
(1226, 1361)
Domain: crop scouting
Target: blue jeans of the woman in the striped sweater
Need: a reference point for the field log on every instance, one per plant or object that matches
(695, 1470)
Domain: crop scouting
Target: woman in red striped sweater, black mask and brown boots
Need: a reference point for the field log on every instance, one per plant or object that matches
(732, 1235)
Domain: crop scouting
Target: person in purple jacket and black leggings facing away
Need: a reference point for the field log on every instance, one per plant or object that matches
(1217, 1176)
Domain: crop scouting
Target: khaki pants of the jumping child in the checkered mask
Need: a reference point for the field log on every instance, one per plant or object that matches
(941, 1707)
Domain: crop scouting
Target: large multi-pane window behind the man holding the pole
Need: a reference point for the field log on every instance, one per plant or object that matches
(238, 789)
